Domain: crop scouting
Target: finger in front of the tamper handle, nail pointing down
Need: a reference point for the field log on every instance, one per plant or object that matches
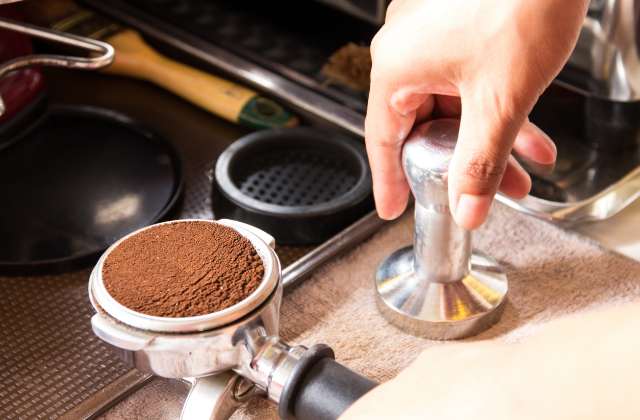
(488, 129)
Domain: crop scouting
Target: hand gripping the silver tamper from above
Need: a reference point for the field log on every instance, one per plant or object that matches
(487, 61)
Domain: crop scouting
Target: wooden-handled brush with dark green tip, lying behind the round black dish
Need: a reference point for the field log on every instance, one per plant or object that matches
(135, 58)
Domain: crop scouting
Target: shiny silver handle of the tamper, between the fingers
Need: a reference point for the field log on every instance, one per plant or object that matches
(442, 249)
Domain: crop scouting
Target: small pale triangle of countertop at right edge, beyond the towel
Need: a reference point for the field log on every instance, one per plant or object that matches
(620, 233)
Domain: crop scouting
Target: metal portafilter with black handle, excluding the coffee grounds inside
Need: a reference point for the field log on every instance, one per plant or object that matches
(230, 354)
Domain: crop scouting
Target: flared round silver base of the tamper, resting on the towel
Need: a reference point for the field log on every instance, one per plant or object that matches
(440, 311)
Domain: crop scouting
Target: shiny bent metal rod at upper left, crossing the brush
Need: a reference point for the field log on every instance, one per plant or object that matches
(104, 52)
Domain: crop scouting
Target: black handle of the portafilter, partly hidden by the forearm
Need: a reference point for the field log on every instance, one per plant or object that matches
(320, 388)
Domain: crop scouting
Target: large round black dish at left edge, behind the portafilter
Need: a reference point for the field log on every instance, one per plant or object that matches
(76, 181)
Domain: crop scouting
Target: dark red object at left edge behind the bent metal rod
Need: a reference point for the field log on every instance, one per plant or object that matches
(22, 87)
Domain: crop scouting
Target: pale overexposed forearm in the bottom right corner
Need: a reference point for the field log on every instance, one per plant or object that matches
(584, 367)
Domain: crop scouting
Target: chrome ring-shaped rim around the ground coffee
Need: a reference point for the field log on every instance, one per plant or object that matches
(102, 300)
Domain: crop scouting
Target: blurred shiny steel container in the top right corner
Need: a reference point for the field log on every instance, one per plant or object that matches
(607, 49)
